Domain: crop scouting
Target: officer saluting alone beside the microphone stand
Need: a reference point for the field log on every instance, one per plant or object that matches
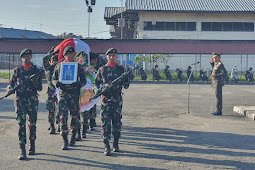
(218, 74)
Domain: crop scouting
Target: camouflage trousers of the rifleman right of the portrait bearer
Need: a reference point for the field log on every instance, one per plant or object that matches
(111, 114)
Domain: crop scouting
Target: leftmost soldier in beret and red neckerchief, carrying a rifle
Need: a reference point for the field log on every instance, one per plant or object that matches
(26, 102)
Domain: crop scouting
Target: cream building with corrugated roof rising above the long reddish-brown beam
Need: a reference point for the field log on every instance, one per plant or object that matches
(185, 19)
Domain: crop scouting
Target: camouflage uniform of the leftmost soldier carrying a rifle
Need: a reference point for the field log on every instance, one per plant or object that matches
(26, 102)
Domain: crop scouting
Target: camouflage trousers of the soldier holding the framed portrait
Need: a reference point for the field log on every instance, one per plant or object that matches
(69, 102)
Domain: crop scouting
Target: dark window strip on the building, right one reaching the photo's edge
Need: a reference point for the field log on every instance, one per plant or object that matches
(228, 26)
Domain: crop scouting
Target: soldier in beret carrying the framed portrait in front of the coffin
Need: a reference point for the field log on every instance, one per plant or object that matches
(69, 98)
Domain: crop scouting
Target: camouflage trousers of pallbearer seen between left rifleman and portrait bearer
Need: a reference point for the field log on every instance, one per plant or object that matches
(52, 107)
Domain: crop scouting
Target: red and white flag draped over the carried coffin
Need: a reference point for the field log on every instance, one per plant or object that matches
(76, 43)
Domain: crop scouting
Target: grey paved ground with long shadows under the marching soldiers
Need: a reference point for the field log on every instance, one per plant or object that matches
(157, 133)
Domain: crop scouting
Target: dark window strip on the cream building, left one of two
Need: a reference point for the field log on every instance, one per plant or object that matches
(170, 26)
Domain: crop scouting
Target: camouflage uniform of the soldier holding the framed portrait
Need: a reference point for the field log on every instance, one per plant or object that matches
(69, 100)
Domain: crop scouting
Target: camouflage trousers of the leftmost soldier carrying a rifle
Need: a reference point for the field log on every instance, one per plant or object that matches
(26, 106)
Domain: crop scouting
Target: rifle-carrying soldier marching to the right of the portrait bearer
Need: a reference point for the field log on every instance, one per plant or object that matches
(112, 101)
